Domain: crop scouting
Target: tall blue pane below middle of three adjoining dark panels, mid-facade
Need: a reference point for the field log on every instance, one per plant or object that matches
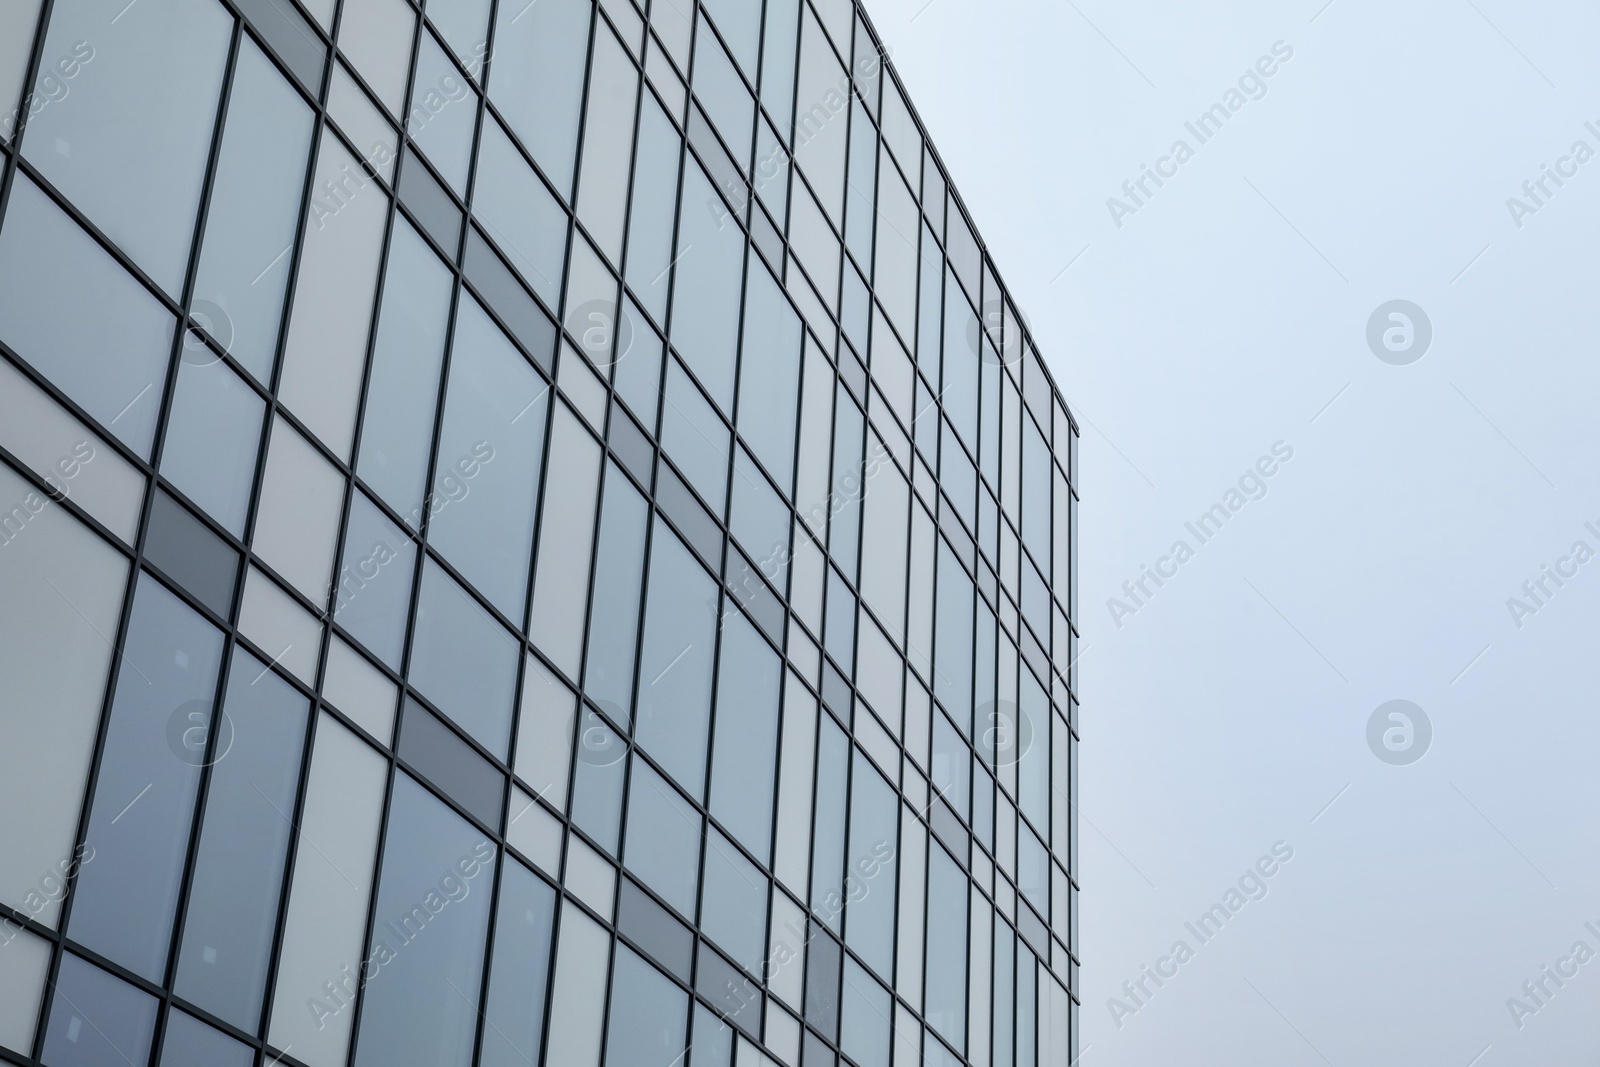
(676, 663)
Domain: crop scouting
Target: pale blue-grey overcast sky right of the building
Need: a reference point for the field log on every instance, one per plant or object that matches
(1225, 314)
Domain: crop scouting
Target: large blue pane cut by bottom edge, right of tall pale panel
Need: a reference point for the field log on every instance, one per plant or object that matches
(430, 940)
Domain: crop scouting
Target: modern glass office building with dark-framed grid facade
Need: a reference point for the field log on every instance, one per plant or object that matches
(530, 537)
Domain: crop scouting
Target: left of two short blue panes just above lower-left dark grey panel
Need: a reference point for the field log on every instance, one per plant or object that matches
(375, 581)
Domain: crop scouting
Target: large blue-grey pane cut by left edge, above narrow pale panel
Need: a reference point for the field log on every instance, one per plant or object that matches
(110, 354)
